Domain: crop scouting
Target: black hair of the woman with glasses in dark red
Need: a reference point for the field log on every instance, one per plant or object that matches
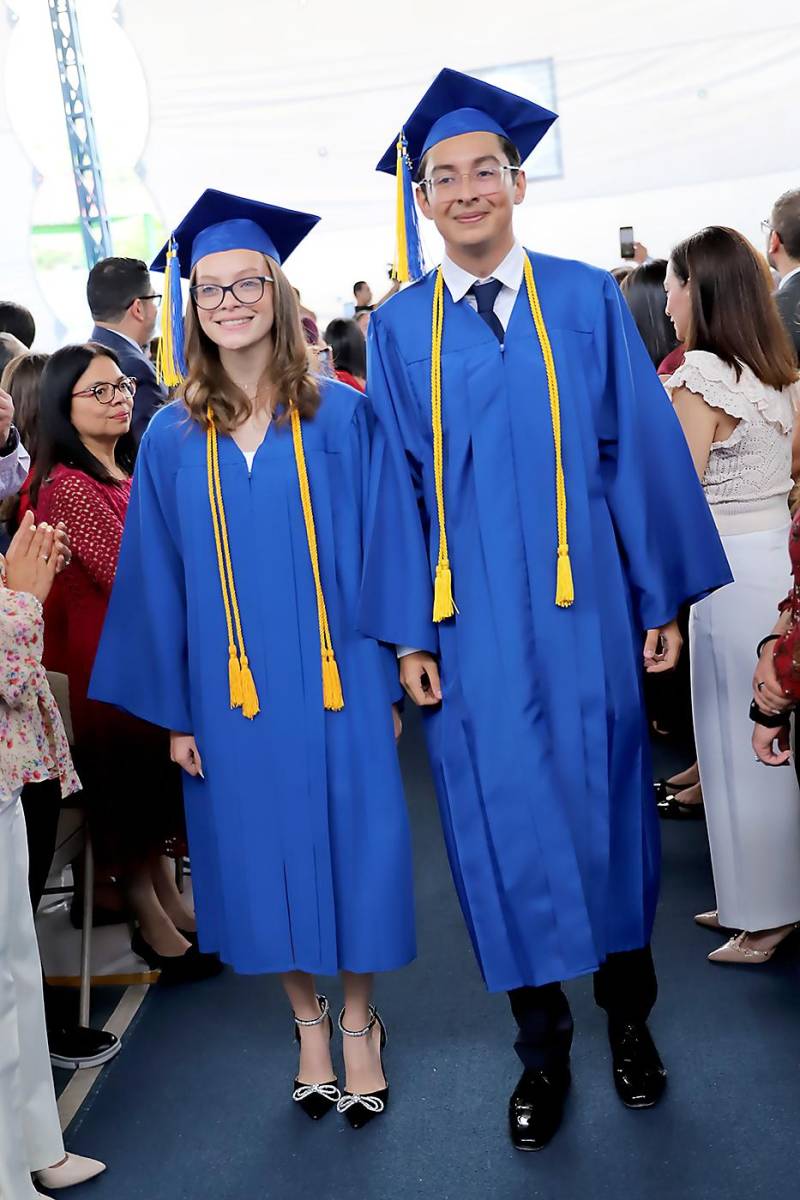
(59, 443)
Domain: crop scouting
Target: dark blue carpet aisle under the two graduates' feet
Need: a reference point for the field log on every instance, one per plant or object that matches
(197, 1106)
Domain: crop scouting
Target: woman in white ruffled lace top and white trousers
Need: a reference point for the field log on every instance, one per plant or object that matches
(735, 395)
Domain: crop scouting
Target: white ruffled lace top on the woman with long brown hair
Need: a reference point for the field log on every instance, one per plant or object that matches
(749, 476)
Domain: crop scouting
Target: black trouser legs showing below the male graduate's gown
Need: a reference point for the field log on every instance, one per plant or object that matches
(625, 987)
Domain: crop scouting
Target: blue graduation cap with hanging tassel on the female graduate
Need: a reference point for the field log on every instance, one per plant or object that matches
(218, 221)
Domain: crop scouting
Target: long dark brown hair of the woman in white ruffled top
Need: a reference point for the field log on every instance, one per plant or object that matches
(733, 314)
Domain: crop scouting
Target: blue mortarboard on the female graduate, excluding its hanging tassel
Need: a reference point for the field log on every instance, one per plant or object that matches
(221, 221)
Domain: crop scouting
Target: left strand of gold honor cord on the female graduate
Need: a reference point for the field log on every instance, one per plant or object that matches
(240, 677)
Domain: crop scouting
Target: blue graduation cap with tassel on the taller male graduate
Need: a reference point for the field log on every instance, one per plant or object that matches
(455, 104)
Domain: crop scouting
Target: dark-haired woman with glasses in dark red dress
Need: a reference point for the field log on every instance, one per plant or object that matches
(83, 479)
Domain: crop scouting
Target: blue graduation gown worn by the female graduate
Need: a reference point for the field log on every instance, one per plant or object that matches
(299, 833)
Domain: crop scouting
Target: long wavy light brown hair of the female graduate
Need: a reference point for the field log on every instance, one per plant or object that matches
(208, 386)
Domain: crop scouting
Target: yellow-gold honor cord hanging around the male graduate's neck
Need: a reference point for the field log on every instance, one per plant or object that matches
(443, 599)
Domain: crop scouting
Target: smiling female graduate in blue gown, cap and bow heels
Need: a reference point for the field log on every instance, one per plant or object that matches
(232, 625)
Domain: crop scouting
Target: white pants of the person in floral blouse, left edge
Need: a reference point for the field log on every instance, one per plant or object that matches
(31, 1133)
